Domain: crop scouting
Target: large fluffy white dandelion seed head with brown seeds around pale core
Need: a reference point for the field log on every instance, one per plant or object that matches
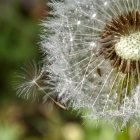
(92, 50)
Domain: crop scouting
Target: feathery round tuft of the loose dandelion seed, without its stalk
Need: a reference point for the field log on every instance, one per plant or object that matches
(27, 79)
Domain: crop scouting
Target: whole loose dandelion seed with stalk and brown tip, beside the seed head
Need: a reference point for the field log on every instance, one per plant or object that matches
(34, 82)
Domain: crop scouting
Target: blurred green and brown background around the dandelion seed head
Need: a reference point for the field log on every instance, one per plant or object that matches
(22, 120)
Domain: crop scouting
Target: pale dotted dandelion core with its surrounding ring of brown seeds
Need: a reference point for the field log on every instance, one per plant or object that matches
(120, 43)
